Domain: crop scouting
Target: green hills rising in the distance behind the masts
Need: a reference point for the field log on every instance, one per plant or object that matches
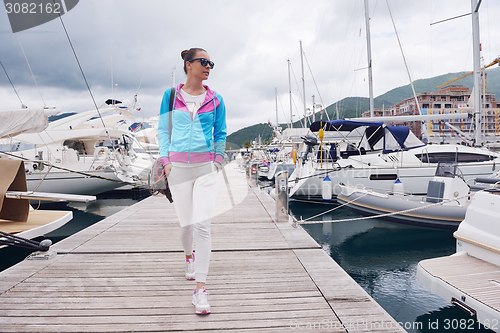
(351, 107)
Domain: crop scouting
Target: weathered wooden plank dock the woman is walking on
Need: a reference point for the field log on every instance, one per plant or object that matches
(126, 274)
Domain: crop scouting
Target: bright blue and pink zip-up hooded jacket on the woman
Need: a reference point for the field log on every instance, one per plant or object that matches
(202, 139)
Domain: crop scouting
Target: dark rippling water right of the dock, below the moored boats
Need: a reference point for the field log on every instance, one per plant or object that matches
(382, 258)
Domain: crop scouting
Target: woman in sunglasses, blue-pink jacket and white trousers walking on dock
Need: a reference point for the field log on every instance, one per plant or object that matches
(192, 143)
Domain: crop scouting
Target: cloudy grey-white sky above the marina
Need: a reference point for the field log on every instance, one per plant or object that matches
(133, 47)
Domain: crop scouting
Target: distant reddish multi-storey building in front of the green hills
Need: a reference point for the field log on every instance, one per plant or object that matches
(450, 99)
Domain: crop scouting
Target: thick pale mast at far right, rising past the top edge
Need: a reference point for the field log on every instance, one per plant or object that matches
(477, 70)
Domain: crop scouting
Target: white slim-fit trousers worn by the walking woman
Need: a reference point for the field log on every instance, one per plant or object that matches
(194, 190)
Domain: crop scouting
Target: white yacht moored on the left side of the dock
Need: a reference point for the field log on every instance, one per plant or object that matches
(85, 153)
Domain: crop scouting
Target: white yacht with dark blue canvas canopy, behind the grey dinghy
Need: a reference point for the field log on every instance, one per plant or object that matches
(383, 154)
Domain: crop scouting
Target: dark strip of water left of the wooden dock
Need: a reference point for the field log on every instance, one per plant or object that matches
(84, 215)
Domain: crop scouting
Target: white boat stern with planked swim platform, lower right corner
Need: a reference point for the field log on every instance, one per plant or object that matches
(470, 278)
